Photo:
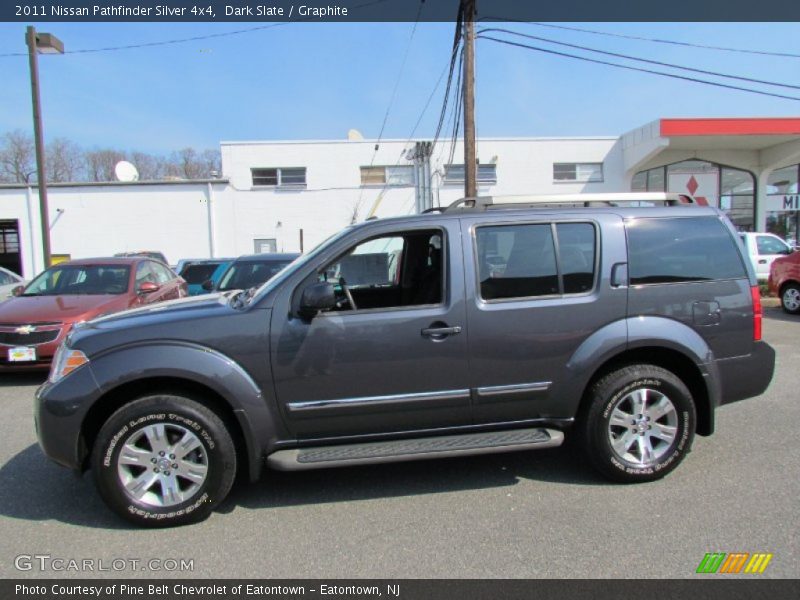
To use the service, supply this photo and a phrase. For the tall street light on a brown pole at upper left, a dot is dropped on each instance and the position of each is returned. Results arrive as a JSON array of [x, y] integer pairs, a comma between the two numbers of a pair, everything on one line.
[[44, 43]]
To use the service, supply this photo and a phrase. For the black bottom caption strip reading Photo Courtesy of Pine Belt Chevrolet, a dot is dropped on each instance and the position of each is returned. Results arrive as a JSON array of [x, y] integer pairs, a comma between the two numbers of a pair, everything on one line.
[[407, 589]]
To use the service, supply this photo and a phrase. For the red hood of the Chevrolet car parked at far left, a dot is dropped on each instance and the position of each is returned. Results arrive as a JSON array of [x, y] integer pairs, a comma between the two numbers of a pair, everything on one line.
[[67, 309]]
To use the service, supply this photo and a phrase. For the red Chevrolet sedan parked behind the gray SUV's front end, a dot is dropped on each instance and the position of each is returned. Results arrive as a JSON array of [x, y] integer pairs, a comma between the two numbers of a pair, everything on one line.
[[35, 321]]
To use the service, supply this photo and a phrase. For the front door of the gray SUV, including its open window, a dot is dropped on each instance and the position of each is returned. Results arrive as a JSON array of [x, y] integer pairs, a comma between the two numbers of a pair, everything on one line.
[[393, 355]]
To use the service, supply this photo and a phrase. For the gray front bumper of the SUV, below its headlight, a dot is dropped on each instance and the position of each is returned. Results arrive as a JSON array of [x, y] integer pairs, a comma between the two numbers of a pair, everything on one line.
[[59, 412]]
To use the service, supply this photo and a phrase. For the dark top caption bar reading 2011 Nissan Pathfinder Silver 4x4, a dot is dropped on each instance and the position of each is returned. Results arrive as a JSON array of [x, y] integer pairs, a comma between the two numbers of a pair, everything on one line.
[[397, 10]]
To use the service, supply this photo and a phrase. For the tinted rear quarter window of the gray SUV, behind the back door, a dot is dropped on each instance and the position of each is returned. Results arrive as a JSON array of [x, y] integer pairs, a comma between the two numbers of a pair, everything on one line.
[[681, 250]]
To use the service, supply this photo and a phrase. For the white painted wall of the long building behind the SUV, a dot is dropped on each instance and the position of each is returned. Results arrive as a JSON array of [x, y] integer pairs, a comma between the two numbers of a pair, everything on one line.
[[173, 217]]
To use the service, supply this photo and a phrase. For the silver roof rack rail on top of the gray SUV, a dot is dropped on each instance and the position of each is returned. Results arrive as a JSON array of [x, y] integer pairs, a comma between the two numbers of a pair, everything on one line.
[[627, 199]]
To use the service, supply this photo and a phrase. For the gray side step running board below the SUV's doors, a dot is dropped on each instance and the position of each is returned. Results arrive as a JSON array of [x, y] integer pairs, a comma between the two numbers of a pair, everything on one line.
[[319, 457]]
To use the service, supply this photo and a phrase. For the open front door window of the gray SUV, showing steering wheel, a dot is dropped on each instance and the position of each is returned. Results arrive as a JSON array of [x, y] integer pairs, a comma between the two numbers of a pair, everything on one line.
[[397, 270]]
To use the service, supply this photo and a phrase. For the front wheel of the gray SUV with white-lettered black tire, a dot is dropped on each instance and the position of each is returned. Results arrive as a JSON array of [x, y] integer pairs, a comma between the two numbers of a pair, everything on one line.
[[174, 497]]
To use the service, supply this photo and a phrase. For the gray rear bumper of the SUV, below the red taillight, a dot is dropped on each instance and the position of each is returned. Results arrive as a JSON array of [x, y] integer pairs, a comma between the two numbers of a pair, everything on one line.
[[747, 376]]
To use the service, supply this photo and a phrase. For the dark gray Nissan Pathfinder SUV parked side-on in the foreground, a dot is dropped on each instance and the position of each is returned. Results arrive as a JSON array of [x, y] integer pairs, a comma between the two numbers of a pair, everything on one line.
[[620, 321]]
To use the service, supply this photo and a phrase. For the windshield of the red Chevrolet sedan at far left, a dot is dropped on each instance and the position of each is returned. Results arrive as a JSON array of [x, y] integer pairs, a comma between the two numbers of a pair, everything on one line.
[[80, 279]]
